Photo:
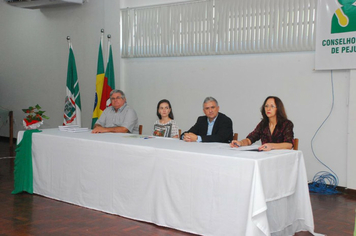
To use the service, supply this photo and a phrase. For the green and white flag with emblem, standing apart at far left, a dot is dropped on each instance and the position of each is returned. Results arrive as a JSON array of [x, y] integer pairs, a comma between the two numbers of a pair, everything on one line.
[[72, 106]]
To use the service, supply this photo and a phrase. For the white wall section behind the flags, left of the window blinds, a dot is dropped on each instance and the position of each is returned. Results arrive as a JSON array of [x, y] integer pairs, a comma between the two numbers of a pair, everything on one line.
[[34, 56]]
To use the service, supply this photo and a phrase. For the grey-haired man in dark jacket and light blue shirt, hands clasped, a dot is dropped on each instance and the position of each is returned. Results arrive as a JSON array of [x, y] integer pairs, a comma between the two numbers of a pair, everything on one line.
[[213, 127]]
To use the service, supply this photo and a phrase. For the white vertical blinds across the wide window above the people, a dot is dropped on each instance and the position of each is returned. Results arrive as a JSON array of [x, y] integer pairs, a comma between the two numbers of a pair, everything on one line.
[[218, 27]]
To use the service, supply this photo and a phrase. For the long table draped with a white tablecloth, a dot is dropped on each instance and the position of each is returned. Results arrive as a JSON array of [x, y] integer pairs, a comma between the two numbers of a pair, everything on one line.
[[202, 188]]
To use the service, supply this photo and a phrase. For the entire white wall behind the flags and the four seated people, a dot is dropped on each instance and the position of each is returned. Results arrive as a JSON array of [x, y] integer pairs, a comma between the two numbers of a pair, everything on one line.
[[33, 67]]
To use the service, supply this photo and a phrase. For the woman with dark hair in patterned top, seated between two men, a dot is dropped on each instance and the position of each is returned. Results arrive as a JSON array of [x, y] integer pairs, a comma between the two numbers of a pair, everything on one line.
[[165, 126]]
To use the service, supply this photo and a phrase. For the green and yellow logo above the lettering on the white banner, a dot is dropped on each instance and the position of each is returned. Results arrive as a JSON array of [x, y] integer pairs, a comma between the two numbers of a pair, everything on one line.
[[344, 19]]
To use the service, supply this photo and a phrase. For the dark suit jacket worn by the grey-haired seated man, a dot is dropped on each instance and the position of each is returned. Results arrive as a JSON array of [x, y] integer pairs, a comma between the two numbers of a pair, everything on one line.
[[222, 130]]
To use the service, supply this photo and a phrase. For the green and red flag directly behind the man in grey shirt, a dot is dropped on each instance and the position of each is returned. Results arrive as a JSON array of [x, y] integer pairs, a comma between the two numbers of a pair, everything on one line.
[[109, 81]]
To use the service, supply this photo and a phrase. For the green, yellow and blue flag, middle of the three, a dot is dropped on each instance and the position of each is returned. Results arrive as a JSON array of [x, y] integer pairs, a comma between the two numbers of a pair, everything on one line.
[[99, 84]]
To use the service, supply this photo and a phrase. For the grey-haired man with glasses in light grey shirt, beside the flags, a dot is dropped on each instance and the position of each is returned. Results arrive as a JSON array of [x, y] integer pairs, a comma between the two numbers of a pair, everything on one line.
[[118, 118]]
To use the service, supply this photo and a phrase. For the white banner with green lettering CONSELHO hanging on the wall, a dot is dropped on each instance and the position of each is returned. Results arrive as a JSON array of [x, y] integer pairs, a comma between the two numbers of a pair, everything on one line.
[[335, 35]]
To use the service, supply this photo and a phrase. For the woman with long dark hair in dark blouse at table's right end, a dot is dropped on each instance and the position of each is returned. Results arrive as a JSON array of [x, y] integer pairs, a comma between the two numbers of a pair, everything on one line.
[[275, 130]]
